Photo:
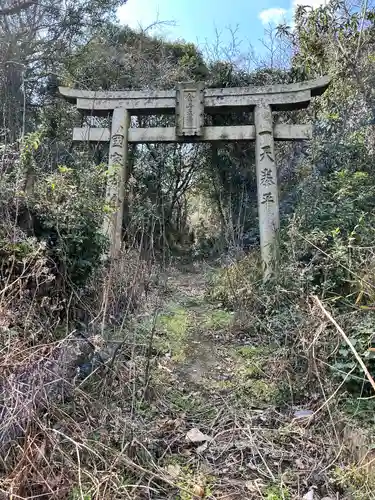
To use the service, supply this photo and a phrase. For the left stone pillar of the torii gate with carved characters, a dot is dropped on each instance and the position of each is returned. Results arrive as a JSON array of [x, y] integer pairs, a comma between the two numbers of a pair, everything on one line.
[[117, 164]]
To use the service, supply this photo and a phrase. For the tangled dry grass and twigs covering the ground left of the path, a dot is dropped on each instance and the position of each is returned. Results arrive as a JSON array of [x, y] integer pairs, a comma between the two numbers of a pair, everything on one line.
[[51, 412]]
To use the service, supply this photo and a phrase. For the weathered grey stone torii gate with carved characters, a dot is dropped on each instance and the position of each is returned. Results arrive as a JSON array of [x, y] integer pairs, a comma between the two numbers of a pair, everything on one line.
[[190, 102]]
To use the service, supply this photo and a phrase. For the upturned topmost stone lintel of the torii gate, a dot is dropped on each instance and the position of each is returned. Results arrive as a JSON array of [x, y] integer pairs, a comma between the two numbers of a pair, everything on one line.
[[279, 97]]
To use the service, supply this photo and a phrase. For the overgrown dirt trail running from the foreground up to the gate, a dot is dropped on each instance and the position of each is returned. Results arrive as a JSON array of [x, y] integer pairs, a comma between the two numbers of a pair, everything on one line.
[[218, 403]]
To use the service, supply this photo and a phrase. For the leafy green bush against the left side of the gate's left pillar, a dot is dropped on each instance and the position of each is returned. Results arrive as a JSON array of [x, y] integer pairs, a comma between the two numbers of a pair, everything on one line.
[[68, 208]]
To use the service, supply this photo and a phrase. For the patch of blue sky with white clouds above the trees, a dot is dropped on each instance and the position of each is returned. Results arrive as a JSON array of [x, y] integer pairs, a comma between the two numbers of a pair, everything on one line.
[[198, 20]]
